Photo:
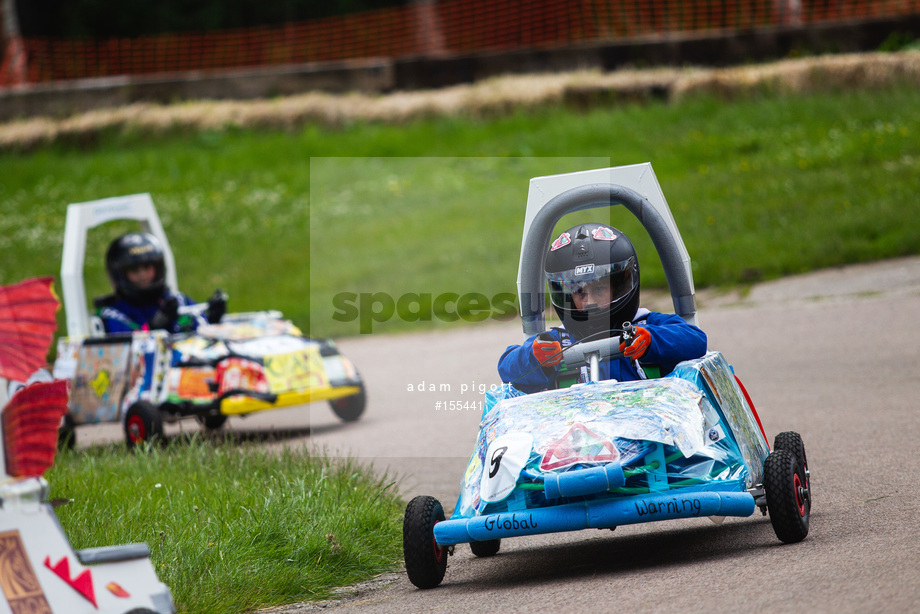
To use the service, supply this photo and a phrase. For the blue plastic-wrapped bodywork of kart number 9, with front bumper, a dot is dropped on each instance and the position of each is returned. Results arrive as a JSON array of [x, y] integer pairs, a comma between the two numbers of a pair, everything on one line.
[[599, 455]]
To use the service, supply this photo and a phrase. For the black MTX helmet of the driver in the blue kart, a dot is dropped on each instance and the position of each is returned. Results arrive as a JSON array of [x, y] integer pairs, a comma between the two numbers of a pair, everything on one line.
[[590, 253]]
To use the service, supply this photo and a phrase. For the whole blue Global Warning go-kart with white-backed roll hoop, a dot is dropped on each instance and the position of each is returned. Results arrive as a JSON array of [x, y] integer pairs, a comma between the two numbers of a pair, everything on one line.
[[605, 453]]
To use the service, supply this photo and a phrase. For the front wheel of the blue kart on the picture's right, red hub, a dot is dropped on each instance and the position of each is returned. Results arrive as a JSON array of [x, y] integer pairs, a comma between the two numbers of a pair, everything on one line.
[[788, 498]]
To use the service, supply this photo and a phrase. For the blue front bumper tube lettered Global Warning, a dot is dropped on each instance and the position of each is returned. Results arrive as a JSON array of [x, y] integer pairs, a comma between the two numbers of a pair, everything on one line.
[[603, 514]]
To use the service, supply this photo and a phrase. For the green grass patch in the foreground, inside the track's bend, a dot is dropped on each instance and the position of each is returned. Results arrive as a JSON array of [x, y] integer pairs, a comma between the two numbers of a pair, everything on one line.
[[233, 528]]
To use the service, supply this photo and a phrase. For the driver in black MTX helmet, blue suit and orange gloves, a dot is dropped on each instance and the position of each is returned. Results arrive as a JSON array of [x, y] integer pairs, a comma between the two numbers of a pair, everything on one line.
[[593, 276]]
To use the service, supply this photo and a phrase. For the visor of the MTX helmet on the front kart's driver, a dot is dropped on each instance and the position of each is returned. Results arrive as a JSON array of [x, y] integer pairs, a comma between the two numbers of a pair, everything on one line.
[[592, 284]]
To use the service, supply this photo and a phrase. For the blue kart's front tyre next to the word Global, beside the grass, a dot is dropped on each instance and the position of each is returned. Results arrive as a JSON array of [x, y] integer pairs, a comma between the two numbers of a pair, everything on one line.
[[426, 561]]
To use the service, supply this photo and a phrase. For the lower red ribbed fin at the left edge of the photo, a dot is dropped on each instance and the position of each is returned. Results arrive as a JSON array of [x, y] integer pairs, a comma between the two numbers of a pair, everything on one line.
[[30, 427]]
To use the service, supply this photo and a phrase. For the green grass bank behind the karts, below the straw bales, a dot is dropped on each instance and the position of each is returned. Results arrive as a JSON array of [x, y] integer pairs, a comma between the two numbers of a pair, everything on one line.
[[760, 188]]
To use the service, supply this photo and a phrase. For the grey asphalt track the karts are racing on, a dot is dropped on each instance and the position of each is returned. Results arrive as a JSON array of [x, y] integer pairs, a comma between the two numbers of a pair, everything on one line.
[[832, 355]]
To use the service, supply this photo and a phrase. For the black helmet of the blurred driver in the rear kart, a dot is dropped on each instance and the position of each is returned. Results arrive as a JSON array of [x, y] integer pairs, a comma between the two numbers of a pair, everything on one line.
[[131, 250]]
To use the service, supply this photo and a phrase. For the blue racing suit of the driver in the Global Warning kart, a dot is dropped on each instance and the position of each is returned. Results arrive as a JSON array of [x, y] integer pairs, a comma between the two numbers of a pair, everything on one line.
[[673, 340]]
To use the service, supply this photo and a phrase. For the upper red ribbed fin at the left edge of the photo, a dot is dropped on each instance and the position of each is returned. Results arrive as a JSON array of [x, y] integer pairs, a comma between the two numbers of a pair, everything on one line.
[[27, 325]]
